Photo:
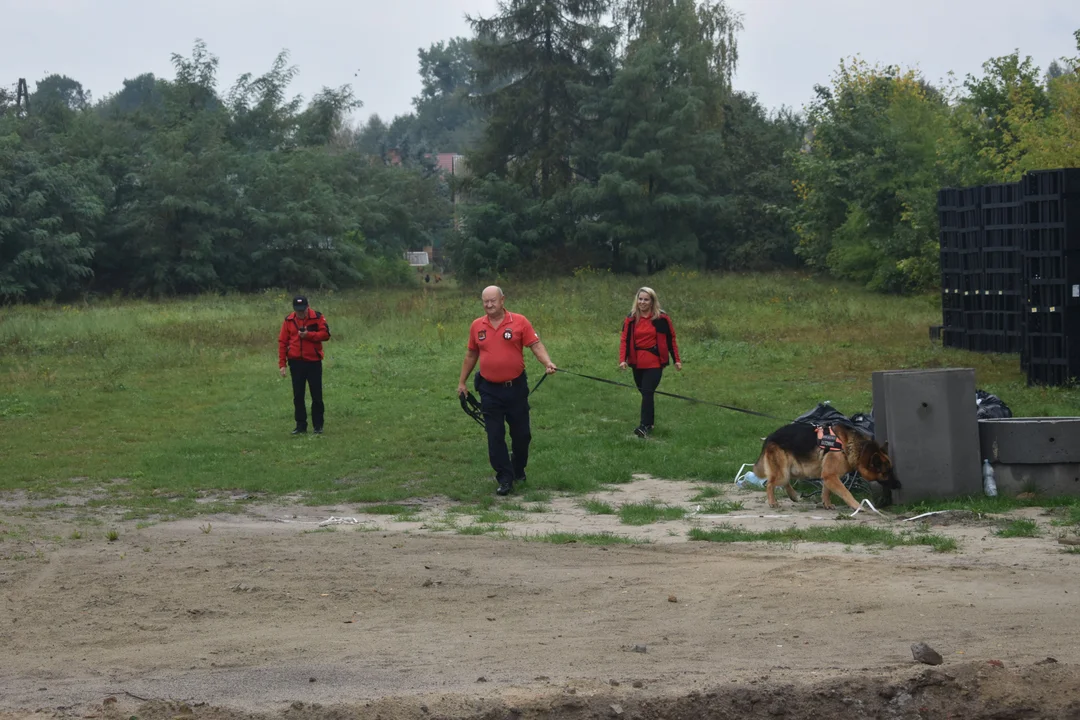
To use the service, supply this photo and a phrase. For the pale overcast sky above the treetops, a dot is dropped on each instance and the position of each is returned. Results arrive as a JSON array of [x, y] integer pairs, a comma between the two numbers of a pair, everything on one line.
[[787, 46]]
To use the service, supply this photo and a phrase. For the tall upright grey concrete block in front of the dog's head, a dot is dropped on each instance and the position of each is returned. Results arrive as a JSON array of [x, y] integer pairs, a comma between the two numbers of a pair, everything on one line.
[[929, 419]]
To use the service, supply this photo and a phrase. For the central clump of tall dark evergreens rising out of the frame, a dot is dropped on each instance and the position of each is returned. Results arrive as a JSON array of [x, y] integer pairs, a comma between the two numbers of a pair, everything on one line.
[[614, 139]]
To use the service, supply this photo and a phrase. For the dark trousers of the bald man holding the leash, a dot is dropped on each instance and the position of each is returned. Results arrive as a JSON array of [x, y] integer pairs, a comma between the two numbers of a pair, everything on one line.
[[504, 406]]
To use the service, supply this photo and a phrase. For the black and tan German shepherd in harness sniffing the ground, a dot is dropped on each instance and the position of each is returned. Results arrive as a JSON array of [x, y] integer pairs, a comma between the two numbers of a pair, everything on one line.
[[803, 452]]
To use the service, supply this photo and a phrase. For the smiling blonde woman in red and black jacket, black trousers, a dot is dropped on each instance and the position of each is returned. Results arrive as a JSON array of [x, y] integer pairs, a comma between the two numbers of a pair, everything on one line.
[[647, 346]]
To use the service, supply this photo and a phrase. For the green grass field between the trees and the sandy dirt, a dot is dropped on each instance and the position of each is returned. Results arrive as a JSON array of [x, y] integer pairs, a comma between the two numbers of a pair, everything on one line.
[[175, 407]]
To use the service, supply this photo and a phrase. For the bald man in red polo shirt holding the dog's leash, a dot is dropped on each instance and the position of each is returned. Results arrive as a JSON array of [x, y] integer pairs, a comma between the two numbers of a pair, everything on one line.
[[497, 341]]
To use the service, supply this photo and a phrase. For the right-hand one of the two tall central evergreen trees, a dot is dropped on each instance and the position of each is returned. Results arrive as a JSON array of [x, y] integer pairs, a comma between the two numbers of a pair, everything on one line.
[[659, 132]]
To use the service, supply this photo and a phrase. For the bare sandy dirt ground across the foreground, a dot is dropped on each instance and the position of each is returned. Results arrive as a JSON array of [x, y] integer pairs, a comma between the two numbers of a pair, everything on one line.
[[283, 613]]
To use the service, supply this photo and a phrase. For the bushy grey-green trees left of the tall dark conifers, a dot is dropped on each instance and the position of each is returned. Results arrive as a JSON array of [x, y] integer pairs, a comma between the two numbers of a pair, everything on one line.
[[170, 187]]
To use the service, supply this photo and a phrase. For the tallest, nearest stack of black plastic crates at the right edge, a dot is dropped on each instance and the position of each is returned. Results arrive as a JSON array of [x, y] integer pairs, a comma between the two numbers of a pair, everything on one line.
[[1051, 354]]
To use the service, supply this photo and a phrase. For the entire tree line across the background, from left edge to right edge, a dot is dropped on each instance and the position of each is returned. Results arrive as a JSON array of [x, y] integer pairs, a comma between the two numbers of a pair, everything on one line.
[[603, 133]]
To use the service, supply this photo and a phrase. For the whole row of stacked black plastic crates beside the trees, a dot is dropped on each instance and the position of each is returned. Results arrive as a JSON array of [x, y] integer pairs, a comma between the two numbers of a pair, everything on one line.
[[1010, 259]]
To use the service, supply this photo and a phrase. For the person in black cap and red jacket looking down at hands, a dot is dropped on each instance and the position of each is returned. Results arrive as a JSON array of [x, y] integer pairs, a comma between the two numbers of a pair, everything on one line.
[[301, 350]]
